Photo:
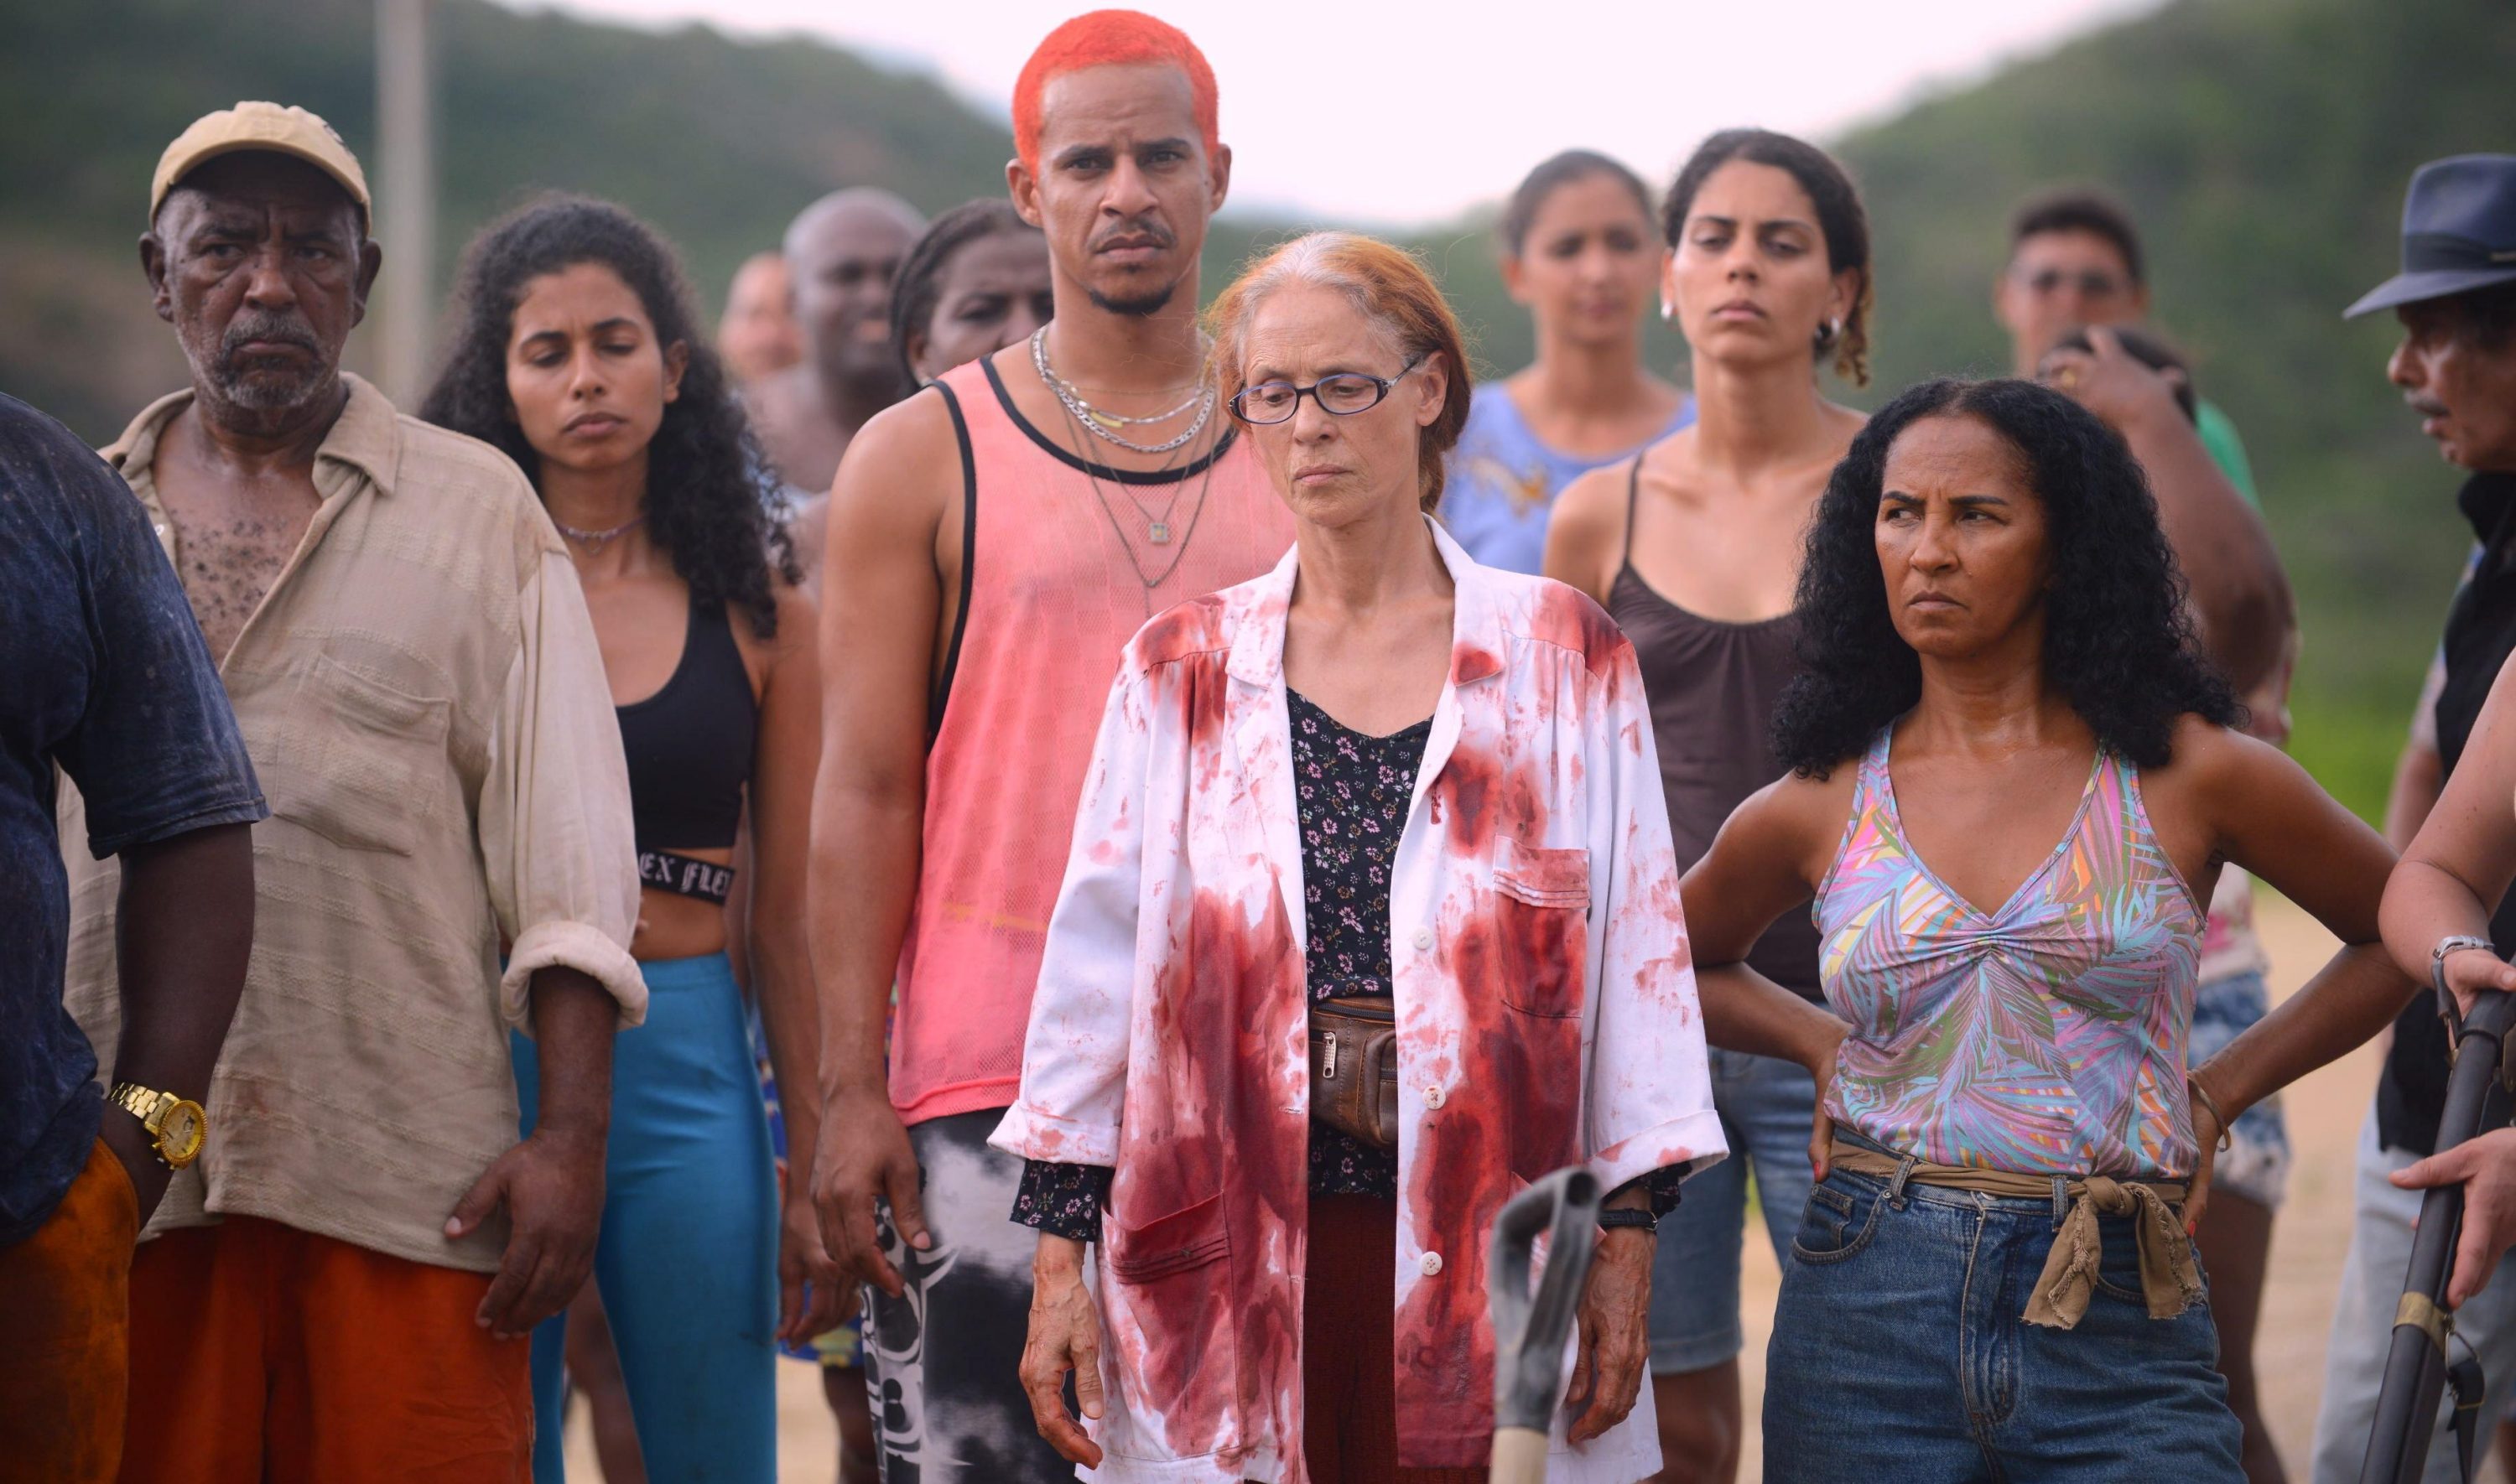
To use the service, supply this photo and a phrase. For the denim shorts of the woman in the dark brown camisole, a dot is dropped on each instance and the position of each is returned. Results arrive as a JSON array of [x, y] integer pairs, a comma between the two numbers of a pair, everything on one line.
[[1695, 1279]]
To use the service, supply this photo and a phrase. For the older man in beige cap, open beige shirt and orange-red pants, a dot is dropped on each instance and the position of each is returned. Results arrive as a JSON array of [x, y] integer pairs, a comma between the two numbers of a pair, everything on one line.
[[341, 1287]]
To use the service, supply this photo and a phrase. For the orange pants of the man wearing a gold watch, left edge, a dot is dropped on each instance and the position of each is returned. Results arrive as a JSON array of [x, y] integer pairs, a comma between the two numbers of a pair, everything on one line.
[[62, 1332]]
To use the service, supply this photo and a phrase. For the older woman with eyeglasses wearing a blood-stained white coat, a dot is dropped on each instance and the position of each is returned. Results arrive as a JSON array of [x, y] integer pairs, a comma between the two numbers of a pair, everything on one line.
[[1370, 922]]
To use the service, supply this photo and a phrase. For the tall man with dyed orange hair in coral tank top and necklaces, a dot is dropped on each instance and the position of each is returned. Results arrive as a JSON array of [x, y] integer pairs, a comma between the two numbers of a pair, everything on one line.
[[993, 547]]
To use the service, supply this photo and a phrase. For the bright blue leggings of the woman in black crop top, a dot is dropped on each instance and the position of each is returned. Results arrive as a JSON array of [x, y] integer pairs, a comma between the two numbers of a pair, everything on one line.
[[688, 1254]]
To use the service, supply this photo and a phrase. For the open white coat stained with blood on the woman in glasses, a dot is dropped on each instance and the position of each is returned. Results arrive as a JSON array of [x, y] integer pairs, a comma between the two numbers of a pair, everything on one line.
[[1544, 990]]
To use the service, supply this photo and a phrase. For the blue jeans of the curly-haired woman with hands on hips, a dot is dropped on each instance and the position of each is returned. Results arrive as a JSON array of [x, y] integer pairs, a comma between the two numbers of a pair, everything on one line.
[[1901, 1352]]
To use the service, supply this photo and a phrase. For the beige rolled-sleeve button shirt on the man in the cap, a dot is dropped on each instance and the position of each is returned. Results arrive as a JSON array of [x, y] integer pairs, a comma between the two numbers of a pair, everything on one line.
[[426, 706]]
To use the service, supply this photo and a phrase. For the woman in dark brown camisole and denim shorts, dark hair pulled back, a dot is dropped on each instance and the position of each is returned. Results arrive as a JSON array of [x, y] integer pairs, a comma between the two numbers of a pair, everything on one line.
[[1695, 552]]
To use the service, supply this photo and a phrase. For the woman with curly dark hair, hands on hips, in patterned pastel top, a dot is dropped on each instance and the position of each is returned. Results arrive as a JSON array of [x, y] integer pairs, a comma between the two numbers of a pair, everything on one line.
[[1994, 1274]]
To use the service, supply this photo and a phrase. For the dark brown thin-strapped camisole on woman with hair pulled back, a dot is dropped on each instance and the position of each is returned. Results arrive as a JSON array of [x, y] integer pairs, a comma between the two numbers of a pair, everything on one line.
[[1712, 711]]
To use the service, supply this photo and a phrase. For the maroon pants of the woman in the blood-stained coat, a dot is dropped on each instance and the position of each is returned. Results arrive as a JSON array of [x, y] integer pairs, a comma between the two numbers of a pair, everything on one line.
[[1350, 1417]]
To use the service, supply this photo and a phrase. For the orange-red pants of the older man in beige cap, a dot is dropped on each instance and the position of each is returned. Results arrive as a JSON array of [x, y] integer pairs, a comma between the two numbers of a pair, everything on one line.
[[268, 1354]]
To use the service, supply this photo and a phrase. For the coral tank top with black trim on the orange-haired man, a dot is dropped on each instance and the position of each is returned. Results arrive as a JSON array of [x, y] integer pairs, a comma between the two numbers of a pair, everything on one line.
[[1048, 602]]
